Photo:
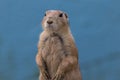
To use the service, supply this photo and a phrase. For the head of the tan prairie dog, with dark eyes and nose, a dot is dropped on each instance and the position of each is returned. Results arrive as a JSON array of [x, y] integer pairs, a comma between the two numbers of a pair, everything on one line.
[[55, 20]]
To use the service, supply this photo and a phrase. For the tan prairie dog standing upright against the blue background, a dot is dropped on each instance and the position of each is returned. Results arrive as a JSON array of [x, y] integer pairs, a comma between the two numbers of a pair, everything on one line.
[[57, 56]]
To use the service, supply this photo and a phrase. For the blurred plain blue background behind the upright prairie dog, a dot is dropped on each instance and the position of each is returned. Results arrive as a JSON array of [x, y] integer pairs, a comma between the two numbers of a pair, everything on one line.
[[95, 25]]
